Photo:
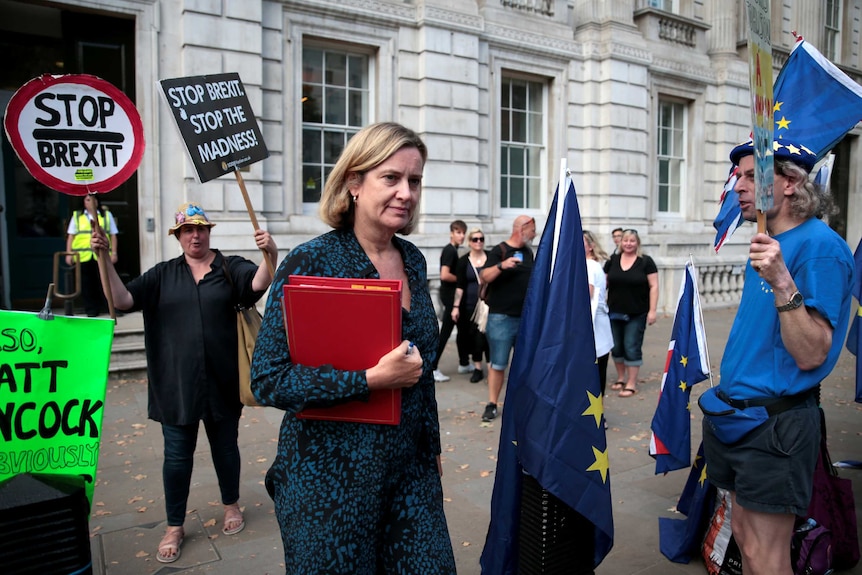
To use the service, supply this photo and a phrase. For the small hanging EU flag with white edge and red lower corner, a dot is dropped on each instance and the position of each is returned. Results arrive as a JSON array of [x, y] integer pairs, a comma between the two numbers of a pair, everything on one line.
[[686, 365]]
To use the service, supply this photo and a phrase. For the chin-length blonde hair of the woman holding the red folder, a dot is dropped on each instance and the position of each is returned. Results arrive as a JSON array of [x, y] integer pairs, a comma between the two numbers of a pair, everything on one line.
[[366, 150]]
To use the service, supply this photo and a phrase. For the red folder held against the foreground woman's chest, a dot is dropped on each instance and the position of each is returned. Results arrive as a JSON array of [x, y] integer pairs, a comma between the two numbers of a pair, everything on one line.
[[348, 323]]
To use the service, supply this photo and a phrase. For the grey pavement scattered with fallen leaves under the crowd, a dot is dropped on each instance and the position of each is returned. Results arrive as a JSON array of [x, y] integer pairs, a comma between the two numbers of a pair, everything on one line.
[[127, 519]]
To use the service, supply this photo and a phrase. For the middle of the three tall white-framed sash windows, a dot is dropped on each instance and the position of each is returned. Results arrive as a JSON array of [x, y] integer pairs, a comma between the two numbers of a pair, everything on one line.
[[522, 143]]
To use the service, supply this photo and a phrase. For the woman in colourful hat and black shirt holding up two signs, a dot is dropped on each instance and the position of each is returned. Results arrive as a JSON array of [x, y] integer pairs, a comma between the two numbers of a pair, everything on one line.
[[188, 304]]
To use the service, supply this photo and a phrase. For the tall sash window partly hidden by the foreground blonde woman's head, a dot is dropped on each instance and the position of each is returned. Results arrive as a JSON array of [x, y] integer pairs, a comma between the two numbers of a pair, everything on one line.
[[335, 102]]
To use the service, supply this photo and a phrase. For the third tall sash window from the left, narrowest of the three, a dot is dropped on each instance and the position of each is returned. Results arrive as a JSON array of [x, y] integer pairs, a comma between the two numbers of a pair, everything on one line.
[[671, 155]]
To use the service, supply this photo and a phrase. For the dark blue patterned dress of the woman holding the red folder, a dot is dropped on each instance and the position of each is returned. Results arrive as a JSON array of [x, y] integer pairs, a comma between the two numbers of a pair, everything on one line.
[[353, 498]]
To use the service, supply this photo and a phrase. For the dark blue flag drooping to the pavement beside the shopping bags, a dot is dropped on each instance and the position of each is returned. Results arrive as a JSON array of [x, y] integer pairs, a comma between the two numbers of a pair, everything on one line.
[[680, 539]]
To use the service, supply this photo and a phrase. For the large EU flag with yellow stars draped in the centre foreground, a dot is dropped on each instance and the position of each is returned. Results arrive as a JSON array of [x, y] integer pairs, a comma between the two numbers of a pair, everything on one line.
[[552, 423]]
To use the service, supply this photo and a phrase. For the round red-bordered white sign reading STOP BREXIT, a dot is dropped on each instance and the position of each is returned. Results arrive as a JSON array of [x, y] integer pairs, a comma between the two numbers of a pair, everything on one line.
[[77, 134]]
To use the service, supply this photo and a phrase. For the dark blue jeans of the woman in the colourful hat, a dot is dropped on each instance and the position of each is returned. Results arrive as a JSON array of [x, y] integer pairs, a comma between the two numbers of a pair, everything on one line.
[[180, 442]]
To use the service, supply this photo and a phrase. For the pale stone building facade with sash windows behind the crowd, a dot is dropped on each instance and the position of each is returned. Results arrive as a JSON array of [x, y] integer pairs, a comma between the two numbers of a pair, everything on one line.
[[643, 98]]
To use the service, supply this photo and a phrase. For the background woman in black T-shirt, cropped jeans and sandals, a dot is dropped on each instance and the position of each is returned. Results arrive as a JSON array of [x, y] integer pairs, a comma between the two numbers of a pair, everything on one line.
[[632, 299]]
